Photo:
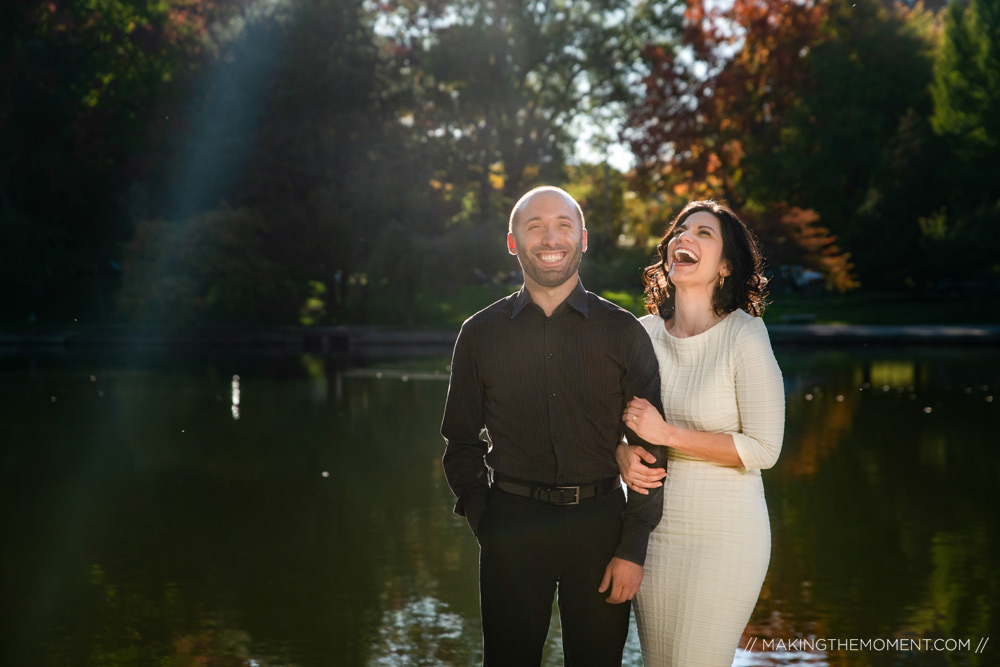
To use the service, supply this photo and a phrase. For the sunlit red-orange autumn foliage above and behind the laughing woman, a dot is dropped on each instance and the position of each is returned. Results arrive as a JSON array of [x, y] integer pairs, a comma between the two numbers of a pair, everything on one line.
[[725, 95]]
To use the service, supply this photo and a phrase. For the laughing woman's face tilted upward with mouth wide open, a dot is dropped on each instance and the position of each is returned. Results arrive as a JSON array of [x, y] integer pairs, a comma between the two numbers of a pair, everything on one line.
[[694, 252]]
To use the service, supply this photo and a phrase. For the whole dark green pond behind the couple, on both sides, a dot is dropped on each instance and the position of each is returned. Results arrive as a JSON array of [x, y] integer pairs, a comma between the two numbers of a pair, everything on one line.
[[228, 509]]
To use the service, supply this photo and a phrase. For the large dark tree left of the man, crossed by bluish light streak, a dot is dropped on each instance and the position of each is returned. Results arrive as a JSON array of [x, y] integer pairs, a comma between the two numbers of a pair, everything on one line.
[[297, 121]]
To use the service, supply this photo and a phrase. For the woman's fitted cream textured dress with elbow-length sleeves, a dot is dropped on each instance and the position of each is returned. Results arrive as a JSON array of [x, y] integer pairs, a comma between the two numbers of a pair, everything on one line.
[[707, 558]]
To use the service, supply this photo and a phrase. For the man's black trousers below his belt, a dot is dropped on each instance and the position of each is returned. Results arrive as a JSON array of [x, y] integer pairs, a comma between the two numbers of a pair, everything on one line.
[[528, 551]]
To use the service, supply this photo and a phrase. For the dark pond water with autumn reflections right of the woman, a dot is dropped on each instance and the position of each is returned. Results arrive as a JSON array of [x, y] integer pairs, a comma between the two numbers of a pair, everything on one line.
[[867, 488]]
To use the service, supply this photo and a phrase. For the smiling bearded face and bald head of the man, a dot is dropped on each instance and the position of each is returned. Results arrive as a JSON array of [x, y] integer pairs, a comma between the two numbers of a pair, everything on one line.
[[548, 239]]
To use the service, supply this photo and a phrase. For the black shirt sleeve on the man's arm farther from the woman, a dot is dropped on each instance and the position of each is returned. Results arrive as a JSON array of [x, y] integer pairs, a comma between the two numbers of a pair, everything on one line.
[[464, 457]]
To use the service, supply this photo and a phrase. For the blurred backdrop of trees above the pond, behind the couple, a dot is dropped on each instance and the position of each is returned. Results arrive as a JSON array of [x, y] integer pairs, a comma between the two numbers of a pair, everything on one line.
[[201, 162]]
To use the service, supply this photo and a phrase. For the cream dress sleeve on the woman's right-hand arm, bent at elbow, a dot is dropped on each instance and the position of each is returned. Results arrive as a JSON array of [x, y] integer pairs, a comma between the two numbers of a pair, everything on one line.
[[760, 396]]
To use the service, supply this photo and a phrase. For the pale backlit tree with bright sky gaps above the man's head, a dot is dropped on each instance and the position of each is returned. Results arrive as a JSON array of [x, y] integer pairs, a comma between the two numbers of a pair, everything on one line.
[[497, 84]]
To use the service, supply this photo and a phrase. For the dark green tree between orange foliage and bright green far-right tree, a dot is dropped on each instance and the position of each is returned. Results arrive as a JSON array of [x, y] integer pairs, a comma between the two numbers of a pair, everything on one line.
[[865, 69]]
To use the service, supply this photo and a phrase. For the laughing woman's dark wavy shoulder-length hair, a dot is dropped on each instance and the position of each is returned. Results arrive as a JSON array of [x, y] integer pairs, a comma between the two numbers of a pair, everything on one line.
[[744, 288]]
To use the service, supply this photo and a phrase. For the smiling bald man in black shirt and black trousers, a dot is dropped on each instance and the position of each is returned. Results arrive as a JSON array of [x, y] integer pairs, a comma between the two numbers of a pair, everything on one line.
[[547, 372]]
